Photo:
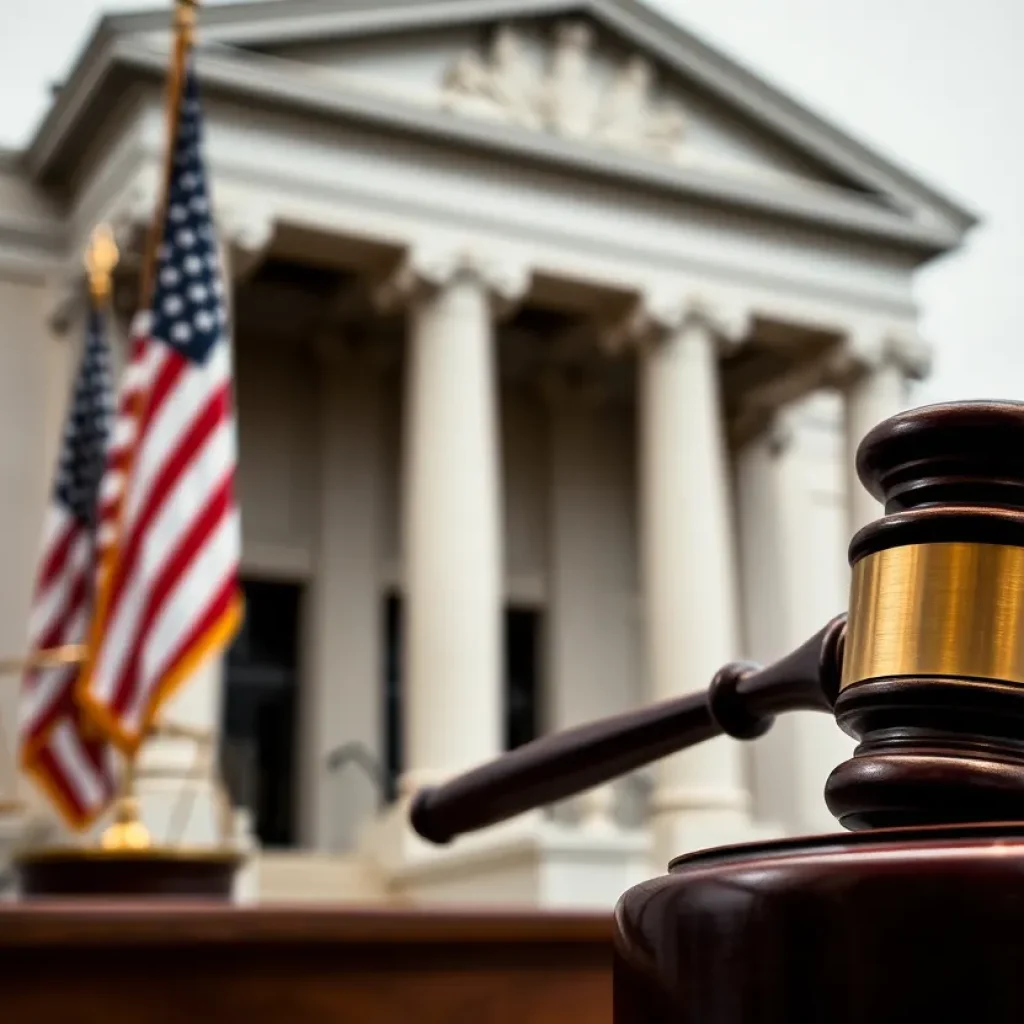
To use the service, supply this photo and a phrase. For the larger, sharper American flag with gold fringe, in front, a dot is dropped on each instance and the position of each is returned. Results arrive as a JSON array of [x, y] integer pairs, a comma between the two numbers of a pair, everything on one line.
[[169, 596]]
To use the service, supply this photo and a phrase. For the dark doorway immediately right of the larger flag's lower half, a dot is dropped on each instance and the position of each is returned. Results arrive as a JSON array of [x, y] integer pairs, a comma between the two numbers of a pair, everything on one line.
[[259, 744]]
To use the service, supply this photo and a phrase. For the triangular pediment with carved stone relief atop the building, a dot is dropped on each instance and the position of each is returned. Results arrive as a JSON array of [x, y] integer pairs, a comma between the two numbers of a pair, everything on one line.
[[628, 92]]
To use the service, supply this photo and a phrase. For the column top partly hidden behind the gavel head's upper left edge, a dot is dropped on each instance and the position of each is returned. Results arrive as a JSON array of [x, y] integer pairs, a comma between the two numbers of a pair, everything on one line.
[[878, 389]]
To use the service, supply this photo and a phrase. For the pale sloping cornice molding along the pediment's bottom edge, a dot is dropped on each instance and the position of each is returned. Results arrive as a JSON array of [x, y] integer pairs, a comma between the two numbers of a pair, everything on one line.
[[275, 82]]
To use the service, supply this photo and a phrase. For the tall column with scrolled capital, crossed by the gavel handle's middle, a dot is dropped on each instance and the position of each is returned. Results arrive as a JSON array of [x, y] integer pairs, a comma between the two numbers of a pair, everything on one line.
[[688, 562]]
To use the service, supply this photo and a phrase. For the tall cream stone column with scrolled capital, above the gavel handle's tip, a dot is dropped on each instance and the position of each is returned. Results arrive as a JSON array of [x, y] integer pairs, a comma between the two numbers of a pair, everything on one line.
[[452, 529]]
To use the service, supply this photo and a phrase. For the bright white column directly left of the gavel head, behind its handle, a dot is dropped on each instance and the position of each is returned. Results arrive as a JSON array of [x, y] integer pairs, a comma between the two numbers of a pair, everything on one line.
[[791, 488]]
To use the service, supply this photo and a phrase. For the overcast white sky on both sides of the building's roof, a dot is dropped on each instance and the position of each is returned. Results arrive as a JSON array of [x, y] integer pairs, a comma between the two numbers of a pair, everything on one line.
[[935, 83]]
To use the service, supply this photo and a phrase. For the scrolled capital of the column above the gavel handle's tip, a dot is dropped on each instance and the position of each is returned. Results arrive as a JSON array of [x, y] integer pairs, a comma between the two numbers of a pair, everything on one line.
[[423, 271]]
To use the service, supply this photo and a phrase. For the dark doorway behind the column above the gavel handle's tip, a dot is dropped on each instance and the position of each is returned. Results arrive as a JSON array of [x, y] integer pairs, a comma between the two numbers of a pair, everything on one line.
[[523, 681]]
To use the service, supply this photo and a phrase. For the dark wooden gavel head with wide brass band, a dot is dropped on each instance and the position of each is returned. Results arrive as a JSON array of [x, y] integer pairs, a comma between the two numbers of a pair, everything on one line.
[[933, 658]]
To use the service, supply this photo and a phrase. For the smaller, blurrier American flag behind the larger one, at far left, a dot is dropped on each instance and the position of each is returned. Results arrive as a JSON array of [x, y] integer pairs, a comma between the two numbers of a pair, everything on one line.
[[72, 762]]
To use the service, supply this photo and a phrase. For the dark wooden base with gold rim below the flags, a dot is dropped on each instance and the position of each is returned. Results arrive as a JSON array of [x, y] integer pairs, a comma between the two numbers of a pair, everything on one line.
[[155, 873]]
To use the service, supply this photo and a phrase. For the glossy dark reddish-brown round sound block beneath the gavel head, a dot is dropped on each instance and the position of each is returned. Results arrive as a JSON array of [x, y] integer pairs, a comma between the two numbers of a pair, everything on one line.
[[879, 927]]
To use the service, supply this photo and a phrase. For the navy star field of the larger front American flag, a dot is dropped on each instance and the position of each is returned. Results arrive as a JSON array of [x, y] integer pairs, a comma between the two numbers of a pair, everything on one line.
[[189, 312]]
